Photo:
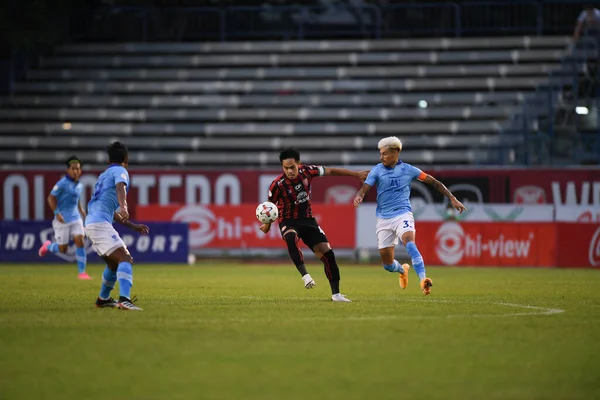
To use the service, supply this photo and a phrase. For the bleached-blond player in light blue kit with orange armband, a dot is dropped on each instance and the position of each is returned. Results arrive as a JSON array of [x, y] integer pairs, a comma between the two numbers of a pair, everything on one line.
[[394, 213]]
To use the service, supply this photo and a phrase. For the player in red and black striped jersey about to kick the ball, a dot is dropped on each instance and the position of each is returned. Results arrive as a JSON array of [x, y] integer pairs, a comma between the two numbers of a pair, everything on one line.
[[291, 192]]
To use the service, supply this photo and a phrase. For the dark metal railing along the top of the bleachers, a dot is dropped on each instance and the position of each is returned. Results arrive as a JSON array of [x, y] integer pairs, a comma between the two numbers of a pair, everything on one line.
[[329, 20]]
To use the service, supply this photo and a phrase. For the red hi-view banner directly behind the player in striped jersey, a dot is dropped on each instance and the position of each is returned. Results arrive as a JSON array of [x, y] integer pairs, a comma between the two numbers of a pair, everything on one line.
[[237, 226]]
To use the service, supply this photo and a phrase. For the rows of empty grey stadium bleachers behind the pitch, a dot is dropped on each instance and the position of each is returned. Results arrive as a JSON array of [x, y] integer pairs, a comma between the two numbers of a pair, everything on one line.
[[209, 103]]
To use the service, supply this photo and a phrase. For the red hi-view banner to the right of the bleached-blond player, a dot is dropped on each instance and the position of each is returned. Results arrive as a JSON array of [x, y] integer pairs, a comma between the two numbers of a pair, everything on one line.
[[488, 244]]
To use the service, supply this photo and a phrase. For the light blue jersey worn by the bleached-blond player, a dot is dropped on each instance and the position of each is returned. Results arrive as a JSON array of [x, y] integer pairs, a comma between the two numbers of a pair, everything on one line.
[[393, 188]]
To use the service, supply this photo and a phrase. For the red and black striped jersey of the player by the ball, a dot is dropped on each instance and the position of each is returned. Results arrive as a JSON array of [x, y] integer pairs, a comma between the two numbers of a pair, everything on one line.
[[293, 197]]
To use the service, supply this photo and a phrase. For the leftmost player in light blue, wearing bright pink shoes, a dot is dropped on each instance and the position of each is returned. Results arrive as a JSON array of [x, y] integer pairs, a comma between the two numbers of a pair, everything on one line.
[[68, 213]]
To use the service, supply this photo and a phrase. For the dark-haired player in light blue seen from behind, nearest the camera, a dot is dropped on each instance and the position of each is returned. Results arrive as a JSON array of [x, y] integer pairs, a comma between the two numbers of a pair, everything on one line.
[[109, 203]]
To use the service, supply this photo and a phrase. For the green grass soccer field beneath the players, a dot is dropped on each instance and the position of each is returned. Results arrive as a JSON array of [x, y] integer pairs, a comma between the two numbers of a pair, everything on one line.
[[227, 331]]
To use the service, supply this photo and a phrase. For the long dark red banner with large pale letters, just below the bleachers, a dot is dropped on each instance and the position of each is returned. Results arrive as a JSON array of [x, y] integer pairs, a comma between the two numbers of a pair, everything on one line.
[[24, 191]]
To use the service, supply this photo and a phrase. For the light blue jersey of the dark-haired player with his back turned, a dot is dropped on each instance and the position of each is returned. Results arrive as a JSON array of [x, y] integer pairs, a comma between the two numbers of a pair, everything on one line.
[[104, 202]]
